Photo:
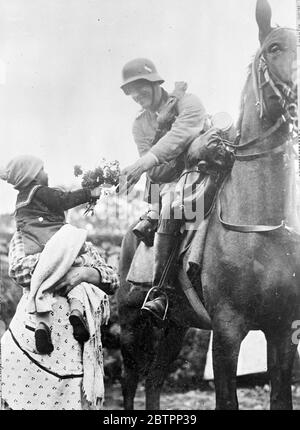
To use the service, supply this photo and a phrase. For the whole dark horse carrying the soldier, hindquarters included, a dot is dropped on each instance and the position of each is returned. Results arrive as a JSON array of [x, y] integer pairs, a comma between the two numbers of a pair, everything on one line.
[[250, 269]]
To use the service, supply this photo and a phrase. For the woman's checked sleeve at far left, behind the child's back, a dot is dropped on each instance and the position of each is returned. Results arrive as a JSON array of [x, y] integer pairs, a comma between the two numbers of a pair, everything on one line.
[[21, 266]]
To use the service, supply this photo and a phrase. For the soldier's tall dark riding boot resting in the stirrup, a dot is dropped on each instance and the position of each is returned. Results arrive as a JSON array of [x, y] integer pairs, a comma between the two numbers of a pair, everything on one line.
[[156, 301]]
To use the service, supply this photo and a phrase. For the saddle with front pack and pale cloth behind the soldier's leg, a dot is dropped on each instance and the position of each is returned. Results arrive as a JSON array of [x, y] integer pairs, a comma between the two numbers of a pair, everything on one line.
[[195, 196]]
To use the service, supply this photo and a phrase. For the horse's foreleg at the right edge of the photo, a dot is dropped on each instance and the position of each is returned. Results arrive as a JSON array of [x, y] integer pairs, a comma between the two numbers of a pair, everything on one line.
[[281, 354]]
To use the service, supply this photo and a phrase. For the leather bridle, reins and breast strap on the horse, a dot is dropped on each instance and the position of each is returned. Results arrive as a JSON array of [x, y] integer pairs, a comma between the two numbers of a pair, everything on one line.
[[287, 98]]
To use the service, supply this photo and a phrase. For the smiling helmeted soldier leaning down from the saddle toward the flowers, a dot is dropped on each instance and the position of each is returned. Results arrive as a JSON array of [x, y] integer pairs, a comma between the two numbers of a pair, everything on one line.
[[162, 131]]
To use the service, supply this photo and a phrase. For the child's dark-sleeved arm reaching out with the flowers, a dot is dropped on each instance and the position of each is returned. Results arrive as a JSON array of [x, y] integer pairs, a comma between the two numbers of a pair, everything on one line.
[[58, 200]]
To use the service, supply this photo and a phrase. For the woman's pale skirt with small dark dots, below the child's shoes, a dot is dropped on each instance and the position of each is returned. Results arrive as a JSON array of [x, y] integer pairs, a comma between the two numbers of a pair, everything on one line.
[[33, 381]]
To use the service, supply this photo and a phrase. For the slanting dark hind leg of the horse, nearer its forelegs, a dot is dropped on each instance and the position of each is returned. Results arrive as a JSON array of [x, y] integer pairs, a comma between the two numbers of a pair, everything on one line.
[[167, 351]]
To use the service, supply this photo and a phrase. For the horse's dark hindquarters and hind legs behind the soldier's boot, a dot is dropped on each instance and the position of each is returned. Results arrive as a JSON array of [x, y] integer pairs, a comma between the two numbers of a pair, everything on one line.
[[148, 350]]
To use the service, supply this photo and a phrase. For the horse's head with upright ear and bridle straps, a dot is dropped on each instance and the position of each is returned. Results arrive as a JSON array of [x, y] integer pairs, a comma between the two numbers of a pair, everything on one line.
[[276, 64]]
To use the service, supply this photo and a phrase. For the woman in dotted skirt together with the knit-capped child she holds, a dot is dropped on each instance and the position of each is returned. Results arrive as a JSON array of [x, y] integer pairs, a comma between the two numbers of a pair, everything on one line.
[[52, 352]]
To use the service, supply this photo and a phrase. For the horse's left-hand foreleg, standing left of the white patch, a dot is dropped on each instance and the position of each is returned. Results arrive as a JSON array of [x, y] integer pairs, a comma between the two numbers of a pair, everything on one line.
[[228, 333]]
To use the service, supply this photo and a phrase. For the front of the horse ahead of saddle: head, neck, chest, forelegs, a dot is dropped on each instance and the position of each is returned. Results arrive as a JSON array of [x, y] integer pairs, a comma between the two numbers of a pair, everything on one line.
[[251, 263]]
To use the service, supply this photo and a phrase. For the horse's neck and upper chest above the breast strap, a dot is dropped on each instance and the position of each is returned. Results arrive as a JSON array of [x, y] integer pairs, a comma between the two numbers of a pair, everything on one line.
[[262, 191]]
